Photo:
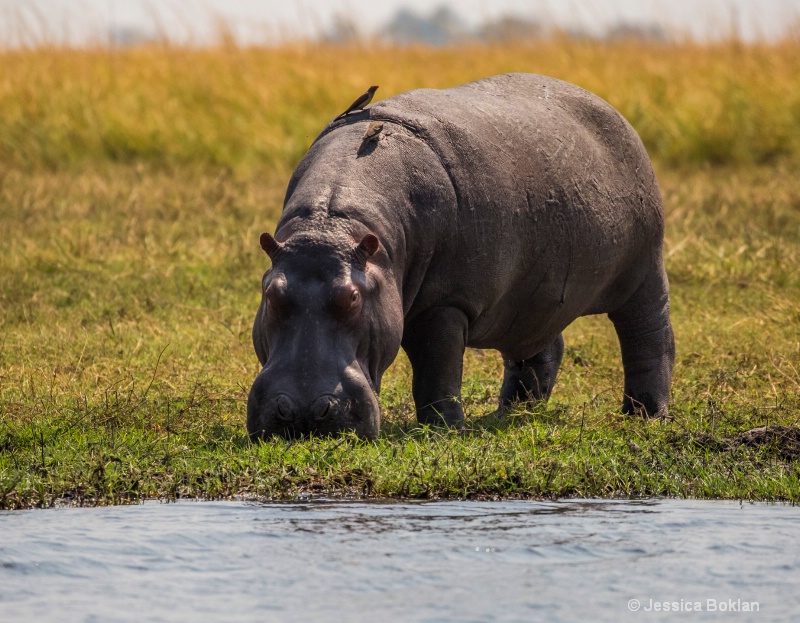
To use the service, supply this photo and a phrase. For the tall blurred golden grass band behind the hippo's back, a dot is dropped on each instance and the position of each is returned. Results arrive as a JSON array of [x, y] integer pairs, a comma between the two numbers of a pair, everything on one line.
[[726, 103]]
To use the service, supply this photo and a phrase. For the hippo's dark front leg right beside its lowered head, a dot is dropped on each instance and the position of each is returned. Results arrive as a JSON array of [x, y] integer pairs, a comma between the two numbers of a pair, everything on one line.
[[434, 342]]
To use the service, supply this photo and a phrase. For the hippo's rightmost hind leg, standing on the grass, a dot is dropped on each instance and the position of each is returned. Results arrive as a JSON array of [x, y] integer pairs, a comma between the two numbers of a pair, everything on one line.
[[648, 347]]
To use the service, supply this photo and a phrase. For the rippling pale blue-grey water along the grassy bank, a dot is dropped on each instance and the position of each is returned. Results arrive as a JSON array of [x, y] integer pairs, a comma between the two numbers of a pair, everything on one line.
[[438, 561]]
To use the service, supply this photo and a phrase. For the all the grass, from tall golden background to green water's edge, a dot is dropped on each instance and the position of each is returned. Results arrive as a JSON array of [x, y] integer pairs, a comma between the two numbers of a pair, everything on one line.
[[133, 188]]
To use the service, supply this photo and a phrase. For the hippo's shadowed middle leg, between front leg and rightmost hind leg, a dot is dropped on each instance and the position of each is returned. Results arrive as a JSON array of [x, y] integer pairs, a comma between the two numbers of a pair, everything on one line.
[[531, 380]]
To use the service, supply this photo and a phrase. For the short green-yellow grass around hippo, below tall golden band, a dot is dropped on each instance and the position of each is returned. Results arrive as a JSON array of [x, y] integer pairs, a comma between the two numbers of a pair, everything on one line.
[[127, 297]]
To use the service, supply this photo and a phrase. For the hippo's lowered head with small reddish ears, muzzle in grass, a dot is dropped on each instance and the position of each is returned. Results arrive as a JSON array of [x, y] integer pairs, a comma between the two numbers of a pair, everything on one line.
[[329, 324]]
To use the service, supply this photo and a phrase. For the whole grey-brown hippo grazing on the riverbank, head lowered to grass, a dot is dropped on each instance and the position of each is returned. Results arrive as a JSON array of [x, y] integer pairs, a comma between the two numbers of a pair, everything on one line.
[[488, 215]]
